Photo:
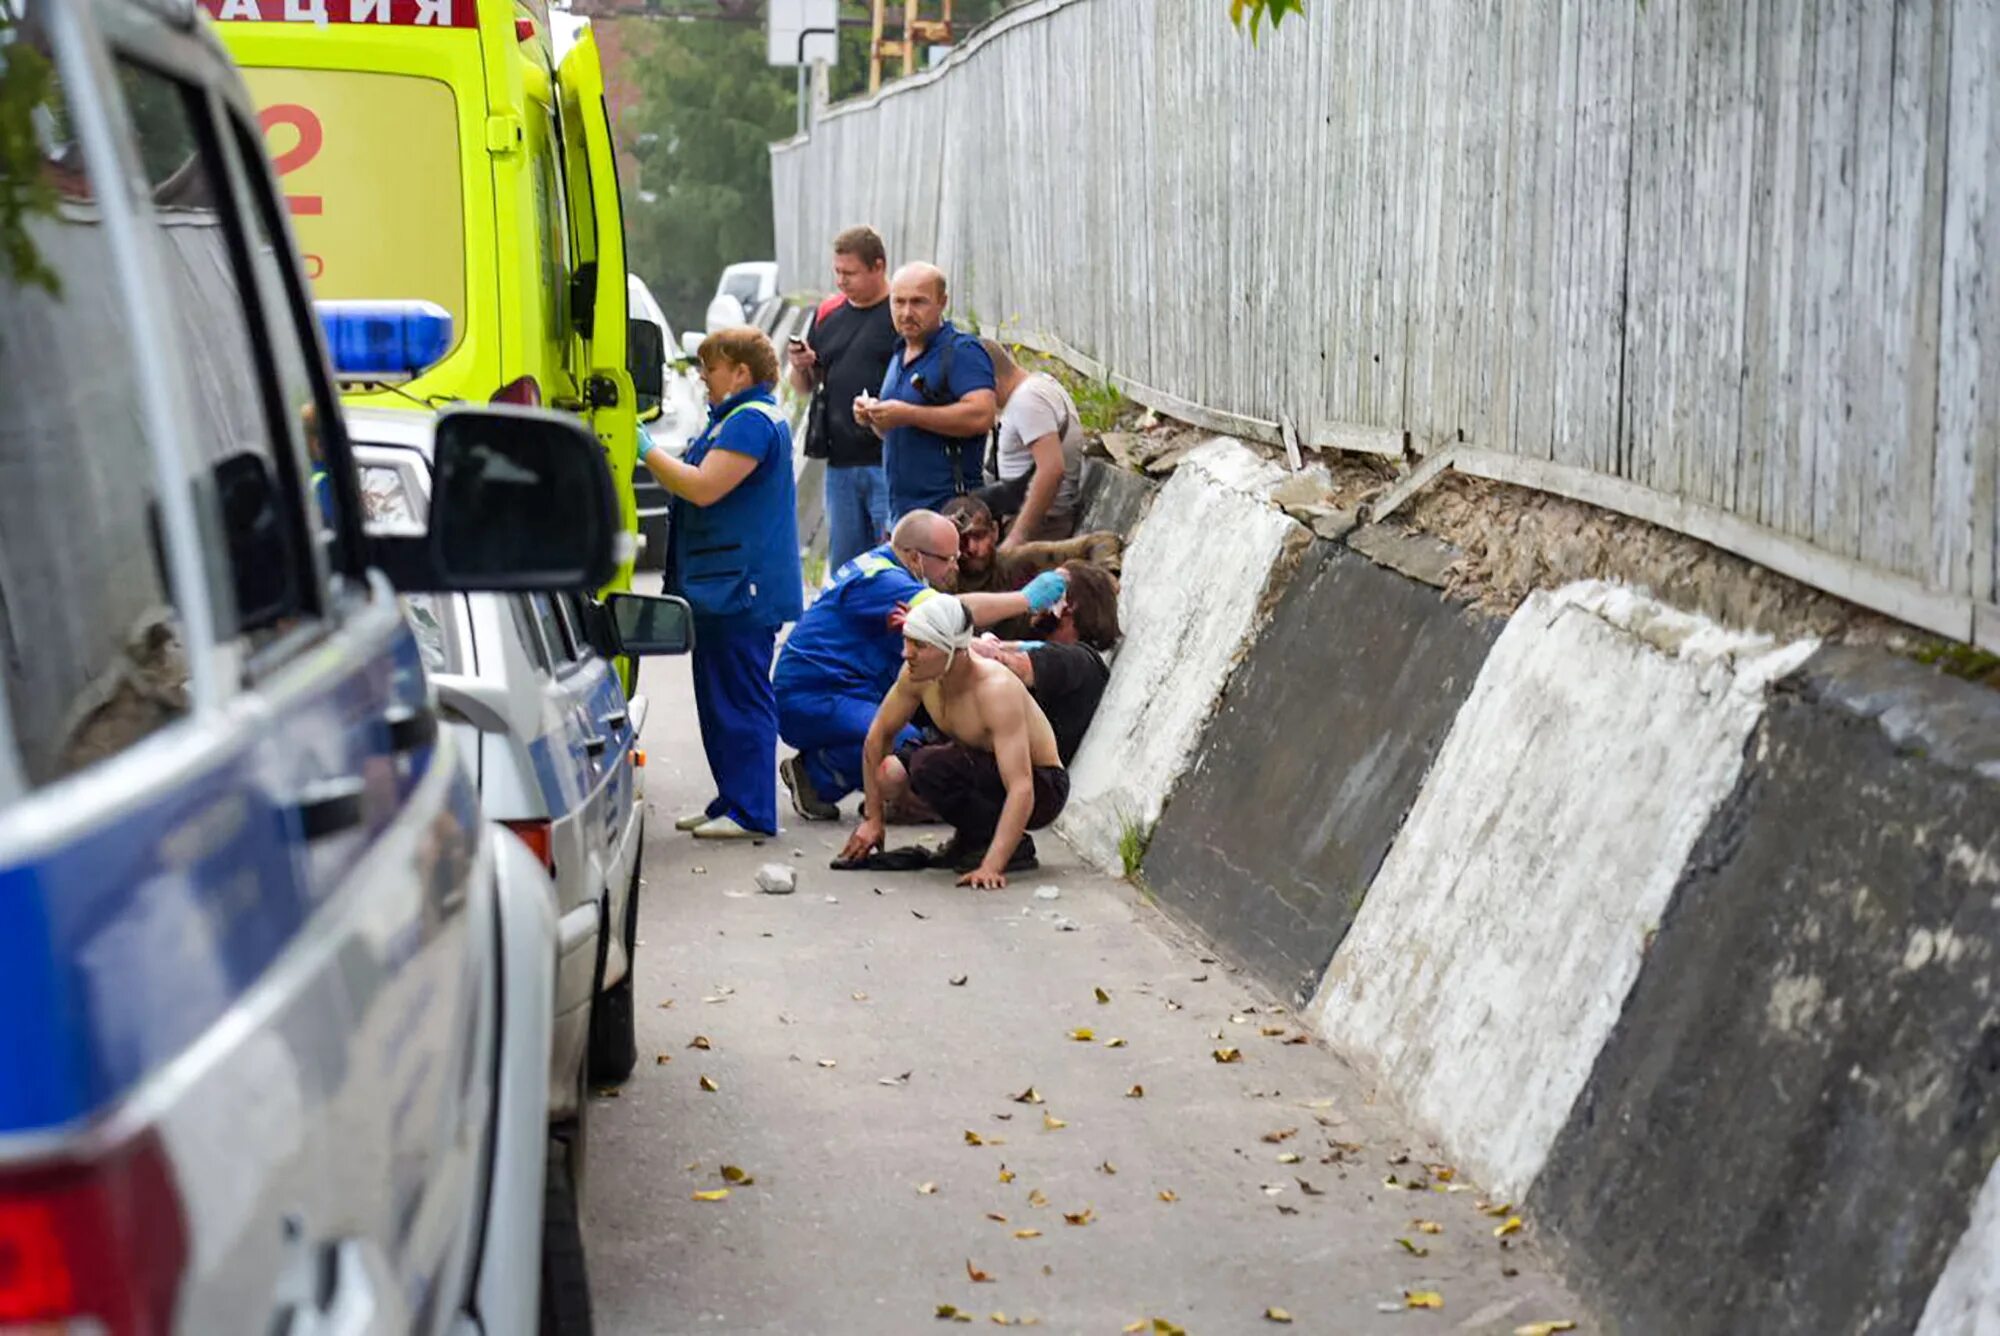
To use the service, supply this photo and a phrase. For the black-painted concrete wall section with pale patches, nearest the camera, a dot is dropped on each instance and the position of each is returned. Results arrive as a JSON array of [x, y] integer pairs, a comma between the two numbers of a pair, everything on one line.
[[1791, 1123]]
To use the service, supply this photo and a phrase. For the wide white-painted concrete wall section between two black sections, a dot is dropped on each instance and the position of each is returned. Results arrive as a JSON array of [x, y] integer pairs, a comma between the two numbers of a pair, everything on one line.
[[1511, 917]]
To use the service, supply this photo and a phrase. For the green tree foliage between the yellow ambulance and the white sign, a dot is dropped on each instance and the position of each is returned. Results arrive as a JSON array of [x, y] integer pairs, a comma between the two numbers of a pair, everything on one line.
[[705, 117]]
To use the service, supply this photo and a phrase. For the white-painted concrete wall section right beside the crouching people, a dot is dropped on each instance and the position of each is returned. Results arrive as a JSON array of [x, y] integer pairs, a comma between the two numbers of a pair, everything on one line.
[[1195, 585]]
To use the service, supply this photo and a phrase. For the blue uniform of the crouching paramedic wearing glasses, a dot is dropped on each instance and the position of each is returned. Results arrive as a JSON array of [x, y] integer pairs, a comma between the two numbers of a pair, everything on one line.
[[839, 665]]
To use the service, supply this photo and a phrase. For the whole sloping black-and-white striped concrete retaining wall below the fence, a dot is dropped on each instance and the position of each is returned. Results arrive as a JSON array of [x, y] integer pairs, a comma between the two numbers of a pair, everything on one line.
[[1683, 937]]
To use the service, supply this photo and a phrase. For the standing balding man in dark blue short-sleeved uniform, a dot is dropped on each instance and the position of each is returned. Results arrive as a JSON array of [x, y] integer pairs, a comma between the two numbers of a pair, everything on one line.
[[937, 401]]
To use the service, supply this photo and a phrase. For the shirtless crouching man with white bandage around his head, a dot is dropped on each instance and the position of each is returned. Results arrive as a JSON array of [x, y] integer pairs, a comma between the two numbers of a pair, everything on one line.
[[999, 779]]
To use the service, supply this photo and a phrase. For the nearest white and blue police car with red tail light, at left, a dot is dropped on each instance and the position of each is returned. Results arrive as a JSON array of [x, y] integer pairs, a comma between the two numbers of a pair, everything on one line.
[[275, 1001]]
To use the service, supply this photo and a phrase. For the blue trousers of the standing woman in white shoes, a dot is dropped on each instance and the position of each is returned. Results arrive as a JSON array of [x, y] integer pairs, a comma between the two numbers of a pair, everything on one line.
[[739, 713]]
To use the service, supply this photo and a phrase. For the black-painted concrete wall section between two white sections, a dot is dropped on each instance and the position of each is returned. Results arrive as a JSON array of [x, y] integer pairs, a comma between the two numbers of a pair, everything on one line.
[[1313, 763]]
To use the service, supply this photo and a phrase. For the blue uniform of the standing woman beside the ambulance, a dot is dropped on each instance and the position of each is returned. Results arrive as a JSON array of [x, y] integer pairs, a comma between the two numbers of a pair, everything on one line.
[[737, 565]]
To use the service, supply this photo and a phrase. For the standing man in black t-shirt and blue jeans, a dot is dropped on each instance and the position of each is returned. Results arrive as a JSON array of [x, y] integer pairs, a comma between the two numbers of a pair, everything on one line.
[[847, 355]]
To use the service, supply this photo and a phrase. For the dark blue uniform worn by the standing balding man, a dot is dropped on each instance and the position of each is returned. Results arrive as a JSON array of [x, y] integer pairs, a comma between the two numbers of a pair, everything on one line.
[[927, 471]]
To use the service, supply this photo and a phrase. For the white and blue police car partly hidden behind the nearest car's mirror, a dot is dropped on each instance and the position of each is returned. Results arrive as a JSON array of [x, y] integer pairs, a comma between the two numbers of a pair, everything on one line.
[[555, 747]]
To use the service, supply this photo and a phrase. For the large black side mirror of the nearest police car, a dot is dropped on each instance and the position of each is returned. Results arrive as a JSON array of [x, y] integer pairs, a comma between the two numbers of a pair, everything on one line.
[[521, 501]]
